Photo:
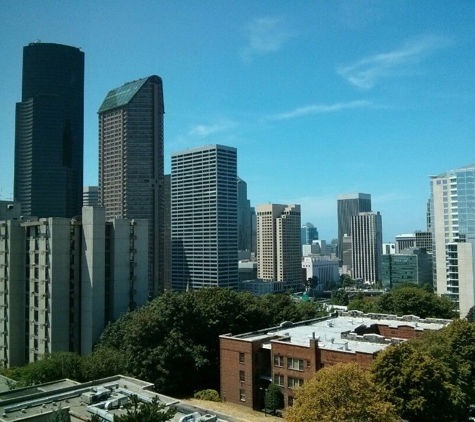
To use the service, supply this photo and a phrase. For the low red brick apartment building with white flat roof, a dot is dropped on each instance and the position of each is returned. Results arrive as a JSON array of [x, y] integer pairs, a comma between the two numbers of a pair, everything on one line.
[[292, 352]]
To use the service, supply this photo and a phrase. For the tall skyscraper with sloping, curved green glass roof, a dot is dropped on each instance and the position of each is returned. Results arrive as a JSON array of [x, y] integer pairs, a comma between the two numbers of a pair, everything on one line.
[[131, 162]]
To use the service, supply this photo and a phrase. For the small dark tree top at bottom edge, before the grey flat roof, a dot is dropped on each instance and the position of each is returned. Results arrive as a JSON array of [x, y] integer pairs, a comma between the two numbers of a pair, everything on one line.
[[138, 411]]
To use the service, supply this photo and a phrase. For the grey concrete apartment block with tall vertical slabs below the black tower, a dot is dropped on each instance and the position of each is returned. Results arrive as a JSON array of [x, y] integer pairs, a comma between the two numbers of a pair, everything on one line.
[[62, 280]]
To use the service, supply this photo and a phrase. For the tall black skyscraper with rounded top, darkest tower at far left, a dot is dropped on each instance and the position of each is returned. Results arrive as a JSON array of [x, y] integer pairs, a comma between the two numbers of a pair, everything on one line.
[[49, 131]]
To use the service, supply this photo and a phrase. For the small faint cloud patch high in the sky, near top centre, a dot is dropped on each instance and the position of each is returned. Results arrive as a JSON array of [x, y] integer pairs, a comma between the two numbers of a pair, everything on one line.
[[265, 35]]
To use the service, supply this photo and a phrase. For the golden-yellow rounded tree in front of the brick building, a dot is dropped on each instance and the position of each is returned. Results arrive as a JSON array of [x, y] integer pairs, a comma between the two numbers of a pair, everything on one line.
[[341, 393]]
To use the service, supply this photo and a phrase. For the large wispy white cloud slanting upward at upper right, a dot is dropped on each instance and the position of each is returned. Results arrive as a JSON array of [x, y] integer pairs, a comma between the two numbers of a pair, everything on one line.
[[366, 72]]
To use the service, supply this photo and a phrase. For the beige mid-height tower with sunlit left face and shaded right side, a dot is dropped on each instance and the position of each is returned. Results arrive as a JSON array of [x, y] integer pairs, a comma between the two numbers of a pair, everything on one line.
[[279, 252]]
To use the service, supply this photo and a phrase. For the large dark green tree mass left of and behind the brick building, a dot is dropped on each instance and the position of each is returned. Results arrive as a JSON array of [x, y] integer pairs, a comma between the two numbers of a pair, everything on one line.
[[174, 340]]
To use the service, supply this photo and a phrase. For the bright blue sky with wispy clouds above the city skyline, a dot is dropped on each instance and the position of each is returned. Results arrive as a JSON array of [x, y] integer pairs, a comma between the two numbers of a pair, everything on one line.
[[319, 97]]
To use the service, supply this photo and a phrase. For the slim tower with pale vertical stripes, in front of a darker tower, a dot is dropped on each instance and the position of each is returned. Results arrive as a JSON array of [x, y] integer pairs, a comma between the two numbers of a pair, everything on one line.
[[367, 246]]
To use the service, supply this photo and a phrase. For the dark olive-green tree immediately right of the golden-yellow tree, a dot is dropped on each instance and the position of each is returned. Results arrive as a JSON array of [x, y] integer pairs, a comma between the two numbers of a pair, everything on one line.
[[417, 384]]
